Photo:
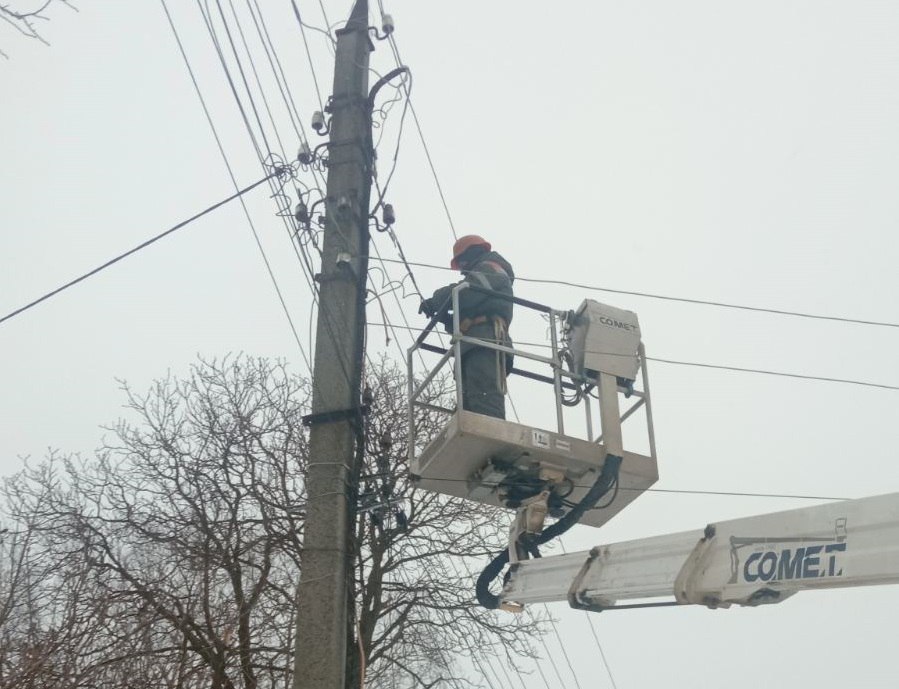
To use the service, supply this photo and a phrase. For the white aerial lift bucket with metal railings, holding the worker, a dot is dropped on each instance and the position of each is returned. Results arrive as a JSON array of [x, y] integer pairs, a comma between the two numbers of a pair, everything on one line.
[[597, 350]]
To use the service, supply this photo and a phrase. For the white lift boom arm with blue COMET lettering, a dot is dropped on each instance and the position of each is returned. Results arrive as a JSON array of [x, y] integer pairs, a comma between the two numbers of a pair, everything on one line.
[[751, 561]]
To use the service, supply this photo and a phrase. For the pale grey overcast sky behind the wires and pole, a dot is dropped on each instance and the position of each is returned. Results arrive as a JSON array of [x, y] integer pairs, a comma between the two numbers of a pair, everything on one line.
[[744, 153]]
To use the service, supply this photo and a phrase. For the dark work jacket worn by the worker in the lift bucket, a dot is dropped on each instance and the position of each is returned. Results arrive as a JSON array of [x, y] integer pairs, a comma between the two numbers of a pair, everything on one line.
[[492, 272]]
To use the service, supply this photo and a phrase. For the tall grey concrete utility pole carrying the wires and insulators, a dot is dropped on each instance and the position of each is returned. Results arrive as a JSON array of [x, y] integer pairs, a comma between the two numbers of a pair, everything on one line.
[[324, 613]]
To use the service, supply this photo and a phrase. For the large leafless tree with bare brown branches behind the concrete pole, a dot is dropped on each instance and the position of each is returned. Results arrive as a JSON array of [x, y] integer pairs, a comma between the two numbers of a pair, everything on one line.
[[172, 556]]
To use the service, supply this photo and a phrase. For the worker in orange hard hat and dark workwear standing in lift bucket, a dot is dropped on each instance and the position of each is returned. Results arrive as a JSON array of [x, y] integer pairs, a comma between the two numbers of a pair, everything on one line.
[[481, 315]]
